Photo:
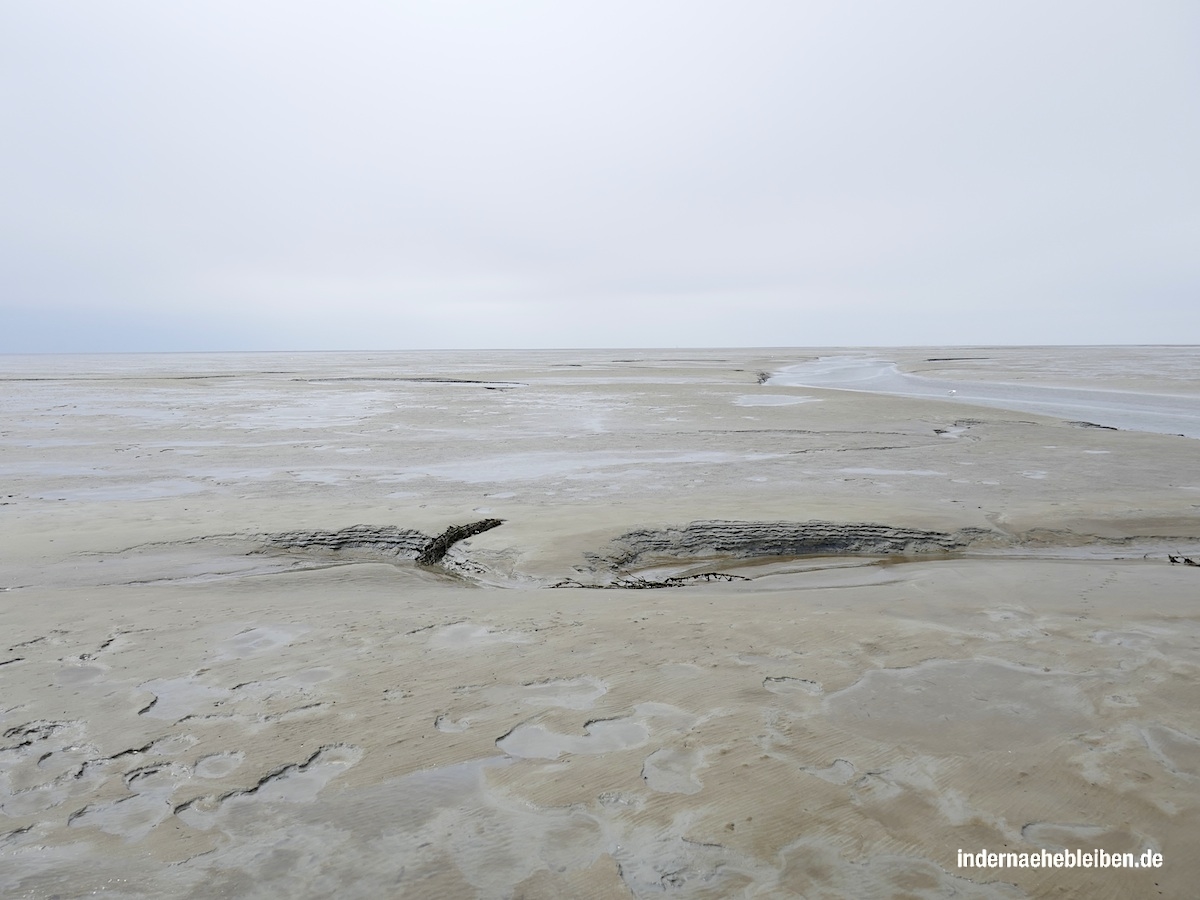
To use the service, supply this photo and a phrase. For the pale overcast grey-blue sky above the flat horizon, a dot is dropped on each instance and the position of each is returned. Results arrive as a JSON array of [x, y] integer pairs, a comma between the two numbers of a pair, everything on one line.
[[370, 175]]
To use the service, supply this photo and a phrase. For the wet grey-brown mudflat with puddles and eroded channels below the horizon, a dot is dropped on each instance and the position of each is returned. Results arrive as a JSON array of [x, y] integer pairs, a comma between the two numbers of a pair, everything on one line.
[[692, 623]]
